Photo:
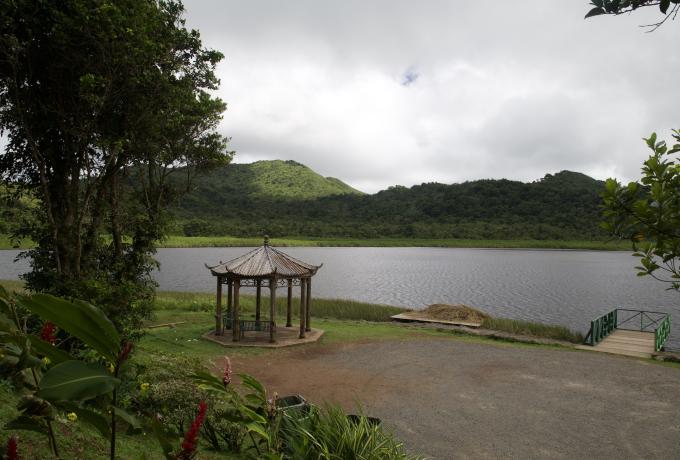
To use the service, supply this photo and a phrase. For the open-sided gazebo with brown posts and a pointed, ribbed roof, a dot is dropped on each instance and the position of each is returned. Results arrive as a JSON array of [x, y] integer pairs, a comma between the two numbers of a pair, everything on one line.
[[264, 267]]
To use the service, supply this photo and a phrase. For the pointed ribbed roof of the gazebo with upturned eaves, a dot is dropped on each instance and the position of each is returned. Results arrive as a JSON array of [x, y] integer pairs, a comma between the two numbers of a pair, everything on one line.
[[263, 262]]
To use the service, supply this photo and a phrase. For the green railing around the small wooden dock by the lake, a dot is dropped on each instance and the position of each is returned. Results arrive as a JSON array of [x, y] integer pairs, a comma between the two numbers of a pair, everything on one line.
[[631, 320]]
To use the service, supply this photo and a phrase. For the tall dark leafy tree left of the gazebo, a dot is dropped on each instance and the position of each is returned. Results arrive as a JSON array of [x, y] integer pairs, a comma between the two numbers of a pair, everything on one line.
[[102, 102]]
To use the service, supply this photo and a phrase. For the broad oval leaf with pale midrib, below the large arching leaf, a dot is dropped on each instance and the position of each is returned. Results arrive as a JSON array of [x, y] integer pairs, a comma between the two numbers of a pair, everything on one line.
[[76, 381]]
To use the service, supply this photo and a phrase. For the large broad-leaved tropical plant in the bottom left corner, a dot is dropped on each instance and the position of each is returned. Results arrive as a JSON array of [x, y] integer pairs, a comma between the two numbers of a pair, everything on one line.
[[53, 381]]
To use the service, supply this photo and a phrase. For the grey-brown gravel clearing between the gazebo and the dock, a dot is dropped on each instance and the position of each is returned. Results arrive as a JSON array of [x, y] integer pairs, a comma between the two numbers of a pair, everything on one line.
[[449, 398]]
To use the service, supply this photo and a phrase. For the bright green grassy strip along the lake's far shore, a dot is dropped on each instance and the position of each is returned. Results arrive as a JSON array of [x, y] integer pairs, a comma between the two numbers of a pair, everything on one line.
[[229, 241]]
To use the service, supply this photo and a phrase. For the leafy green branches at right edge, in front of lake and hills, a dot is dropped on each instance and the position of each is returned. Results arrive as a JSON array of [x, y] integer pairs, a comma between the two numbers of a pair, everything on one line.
[[647, 212]]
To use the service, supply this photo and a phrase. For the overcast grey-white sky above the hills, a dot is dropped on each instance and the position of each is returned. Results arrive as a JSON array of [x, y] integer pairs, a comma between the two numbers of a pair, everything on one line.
[[378, 93]]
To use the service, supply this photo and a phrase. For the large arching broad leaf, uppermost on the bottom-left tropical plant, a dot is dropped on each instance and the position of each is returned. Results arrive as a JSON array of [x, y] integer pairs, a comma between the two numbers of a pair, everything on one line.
[[80, 319]]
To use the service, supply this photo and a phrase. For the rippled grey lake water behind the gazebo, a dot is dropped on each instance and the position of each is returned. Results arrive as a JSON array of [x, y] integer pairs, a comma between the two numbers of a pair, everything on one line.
[[559, 287]]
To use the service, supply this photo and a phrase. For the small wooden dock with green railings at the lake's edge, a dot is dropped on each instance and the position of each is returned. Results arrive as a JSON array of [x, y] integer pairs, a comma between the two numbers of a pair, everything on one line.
[[626, 332]]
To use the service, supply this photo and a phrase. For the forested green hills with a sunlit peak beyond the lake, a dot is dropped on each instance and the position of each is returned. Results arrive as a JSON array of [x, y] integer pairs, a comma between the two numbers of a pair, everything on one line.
[[288, 199]]
